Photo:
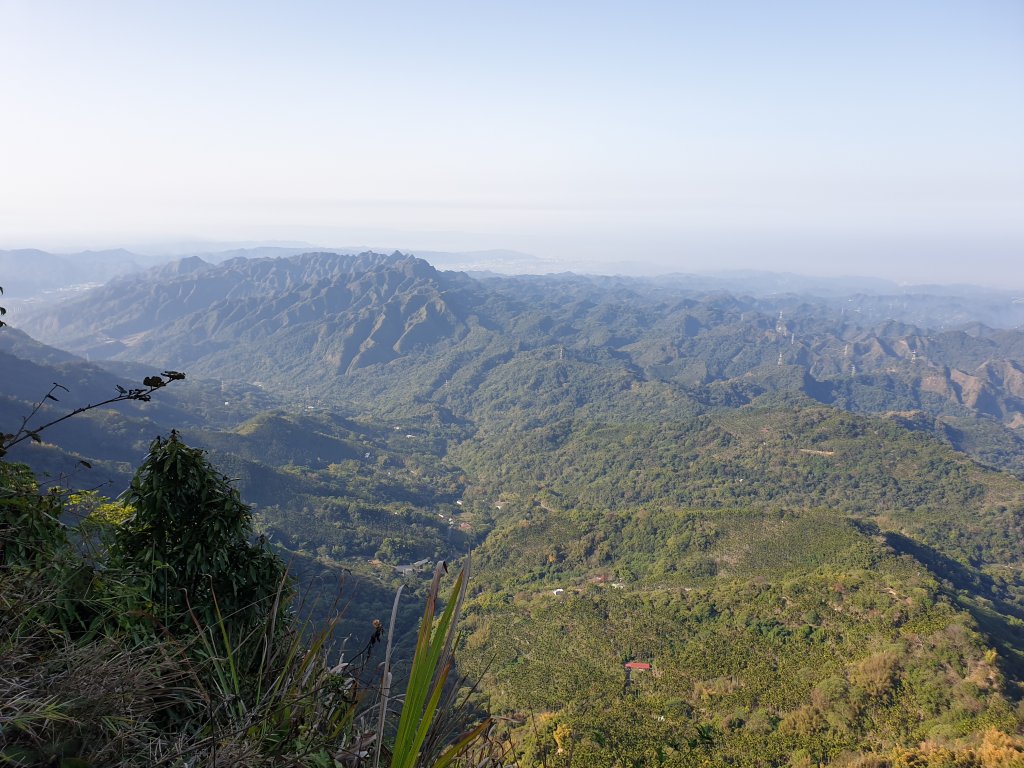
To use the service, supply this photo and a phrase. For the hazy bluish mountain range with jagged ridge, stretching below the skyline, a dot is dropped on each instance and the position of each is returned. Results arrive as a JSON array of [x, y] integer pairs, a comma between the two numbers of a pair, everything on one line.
[[337, 325]]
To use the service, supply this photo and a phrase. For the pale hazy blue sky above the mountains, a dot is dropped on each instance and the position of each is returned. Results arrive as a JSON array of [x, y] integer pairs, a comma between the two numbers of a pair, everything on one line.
[[859, 138]]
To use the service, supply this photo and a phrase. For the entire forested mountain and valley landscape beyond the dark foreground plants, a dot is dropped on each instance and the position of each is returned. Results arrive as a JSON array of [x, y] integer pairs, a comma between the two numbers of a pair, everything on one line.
[[801, 517]]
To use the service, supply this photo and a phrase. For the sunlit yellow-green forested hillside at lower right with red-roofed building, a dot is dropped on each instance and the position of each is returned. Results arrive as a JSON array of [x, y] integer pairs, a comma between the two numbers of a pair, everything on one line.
[[762, 561]]
